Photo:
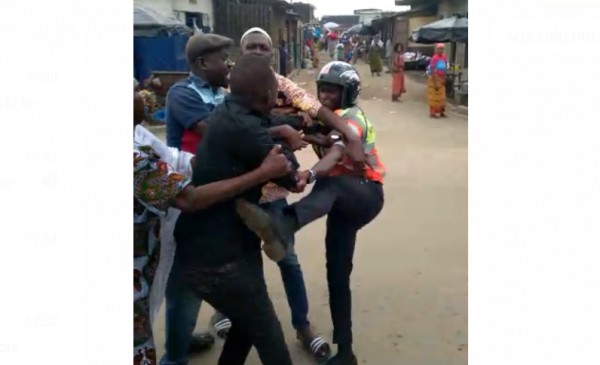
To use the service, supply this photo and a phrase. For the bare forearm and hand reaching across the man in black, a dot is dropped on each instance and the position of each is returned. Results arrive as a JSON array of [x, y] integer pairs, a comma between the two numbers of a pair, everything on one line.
[[194, 198]]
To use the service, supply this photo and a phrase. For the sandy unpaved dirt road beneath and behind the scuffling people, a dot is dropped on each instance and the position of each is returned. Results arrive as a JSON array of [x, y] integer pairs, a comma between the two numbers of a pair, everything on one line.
[[410, 270]]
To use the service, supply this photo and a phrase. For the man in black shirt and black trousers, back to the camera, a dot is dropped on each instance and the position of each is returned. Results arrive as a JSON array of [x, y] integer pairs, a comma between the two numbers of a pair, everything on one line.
[[221, 258]]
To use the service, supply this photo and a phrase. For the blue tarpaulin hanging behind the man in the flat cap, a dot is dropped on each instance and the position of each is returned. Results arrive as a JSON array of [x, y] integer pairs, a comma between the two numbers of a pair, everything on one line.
[[165, 53]]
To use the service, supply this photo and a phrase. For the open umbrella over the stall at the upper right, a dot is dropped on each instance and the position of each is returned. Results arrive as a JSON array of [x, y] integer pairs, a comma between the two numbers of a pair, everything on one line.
[[453, 29]]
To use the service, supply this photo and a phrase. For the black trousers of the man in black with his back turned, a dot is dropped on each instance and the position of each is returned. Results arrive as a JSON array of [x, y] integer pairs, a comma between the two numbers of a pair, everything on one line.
[[239, 291]]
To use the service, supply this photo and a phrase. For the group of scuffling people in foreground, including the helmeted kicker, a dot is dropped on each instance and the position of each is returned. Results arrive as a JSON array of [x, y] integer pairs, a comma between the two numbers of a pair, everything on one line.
[[205, 200]]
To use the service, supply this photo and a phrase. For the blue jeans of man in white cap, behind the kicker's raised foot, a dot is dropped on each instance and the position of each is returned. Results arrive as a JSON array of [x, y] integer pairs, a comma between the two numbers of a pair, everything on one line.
[[293, 280]]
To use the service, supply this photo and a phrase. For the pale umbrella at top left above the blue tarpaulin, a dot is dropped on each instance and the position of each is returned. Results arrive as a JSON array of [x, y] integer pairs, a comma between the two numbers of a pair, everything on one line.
[[147, 22]]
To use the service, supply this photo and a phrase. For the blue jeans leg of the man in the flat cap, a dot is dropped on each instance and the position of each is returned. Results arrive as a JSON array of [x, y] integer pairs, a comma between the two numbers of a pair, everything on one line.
[[182, 311]]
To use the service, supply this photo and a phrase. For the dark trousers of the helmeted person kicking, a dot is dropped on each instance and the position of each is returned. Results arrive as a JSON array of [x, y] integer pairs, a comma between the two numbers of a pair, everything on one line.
[[350, 203]]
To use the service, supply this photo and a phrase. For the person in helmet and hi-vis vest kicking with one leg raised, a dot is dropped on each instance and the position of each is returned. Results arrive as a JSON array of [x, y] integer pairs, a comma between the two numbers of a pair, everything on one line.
[[350, 199]]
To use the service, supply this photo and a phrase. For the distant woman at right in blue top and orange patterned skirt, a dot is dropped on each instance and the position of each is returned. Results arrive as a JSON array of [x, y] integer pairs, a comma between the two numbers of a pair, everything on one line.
[[436, 83]]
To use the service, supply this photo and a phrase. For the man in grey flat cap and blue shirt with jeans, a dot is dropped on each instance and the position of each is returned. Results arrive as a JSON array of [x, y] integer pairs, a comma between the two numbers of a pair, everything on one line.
[[188, 104]]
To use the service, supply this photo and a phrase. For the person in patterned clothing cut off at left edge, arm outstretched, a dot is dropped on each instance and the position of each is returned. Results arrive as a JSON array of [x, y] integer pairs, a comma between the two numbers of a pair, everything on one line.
[[162, 180]]
